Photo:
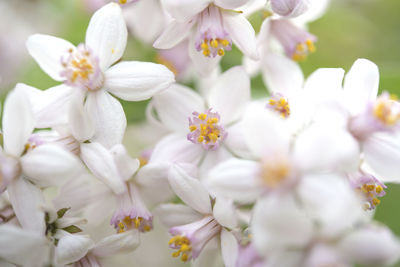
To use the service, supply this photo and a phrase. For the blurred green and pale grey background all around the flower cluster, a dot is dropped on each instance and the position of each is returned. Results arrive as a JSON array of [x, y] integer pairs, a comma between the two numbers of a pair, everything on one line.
[[350, 29]]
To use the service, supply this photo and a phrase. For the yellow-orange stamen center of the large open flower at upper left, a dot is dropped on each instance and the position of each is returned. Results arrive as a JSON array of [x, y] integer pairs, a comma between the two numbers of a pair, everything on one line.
[[81, 69]]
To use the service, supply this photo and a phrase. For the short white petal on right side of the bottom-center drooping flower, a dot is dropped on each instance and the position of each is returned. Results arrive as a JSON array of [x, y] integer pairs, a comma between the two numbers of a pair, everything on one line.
[[224, 212]]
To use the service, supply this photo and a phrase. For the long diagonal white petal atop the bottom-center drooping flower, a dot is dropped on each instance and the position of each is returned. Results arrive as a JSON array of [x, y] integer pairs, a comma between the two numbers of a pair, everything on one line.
[[190, 190]]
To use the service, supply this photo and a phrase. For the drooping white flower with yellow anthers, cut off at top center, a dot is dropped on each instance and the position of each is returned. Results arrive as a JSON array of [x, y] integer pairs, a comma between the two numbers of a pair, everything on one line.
[[217, 27]]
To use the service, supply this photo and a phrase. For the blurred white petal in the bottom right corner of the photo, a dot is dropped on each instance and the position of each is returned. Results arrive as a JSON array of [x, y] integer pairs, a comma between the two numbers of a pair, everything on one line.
[[373, 245]]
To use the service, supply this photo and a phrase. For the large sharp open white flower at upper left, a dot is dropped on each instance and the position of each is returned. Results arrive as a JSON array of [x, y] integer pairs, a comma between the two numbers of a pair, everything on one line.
[[87, 72]]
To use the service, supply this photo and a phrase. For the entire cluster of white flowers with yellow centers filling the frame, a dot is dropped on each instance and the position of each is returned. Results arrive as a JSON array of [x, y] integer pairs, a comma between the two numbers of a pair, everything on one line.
[[288, 179]]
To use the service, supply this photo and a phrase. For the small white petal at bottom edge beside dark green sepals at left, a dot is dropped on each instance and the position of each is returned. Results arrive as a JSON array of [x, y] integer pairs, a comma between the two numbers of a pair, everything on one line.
[[71, 248]]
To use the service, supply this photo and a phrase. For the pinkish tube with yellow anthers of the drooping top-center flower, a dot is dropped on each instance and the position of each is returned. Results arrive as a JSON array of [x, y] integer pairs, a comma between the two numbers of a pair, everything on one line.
[[212, 39]]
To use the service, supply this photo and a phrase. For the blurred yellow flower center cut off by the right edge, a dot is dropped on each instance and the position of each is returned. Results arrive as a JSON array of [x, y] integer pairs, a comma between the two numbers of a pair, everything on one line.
[[387, 110]]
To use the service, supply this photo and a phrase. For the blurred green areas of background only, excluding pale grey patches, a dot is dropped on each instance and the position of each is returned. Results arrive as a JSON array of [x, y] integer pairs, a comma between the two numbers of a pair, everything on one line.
[[350, 29]]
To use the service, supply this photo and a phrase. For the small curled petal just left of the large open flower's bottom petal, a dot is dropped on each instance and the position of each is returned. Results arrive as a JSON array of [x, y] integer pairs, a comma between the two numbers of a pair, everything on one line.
[[80, 123]]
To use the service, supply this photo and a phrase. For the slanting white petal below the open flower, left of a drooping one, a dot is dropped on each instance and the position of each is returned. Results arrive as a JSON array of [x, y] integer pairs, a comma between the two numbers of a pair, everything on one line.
[[101, 163]]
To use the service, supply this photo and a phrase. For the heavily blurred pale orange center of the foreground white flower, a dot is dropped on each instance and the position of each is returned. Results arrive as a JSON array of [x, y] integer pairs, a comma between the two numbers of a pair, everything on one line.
[[274, 172]]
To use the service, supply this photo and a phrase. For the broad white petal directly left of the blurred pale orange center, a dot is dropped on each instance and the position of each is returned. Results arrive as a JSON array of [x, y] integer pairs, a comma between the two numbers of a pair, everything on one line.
[[235, 179]]
